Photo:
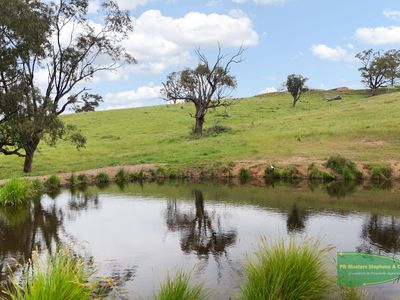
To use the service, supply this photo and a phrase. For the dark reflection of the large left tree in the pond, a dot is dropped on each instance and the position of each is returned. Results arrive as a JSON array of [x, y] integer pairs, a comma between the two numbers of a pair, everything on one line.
[[35, 227]]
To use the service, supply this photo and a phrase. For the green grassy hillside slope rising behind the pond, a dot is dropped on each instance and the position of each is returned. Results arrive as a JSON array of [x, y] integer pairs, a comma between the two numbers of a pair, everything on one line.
[[265, 127]]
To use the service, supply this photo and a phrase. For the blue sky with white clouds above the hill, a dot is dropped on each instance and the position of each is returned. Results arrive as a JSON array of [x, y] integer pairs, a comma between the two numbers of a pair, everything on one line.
[[315, 38]]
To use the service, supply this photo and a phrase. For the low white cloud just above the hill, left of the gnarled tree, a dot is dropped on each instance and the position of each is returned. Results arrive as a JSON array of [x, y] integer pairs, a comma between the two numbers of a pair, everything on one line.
[[132, 98]]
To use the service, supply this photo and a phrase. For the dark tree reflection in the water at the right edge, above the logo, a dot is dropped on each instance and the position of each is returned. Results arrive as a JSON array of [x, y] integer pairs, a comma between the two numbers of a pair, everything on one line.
[[380, 233]]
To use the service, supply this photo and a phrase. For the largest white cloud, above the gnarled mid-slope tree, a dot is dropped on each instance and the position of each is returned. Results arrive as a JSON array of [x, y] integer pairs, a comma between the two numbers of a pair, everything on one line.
[[159, 42]]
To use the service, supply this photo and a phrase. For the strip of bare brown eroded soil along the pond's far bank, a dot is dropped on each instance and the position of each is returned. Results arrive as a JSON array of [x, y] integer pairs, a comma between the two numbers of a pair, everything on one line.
[[219, 171]]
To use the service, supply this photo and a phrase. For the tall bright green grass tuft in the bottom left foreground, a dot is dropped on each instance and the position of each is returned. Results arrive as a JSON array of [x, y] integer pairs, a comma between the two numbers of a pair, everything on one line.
[[63, 276]]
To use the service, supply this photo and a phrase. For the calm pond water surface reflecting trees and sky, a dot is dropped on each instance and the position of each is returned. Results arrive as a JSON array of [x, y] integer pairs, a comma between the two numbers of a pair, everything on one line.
[[139, 233]]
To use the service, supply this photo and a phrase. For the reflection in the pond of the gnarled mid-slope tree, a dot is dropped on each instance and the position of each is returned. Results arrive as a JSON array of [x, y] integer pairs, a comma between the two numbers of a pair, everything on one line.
[[201, 231]]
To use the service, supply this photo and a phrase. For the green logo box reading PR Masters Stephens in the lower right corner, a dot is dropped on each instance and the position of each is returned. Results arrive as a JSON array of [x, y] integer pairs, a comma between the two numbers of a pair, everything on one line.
[[362, 269]]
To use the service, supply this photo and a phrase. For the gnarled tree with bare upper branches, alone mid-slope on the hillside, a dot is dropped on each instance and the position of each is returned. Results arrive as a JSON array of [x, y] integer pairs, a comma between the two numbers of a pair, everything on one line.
[[207, 86]]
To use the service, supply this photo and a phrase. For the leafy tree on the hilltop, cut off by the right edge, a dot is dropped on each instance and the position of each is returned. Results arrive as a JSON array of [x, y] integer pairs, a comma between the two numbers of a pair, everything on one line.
[[379, 69]]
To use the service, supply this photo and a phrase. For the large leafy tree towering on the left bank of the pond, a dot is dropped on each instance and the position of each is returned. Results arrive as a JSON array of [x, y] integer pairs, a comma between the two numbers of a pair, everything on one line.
[[59, 39]]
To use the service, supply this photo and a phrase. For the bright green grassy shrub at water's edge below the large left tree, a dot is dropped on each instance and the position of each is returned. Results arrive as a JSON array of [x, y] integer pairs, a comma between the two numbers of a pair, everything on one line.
[[14, 192]]
